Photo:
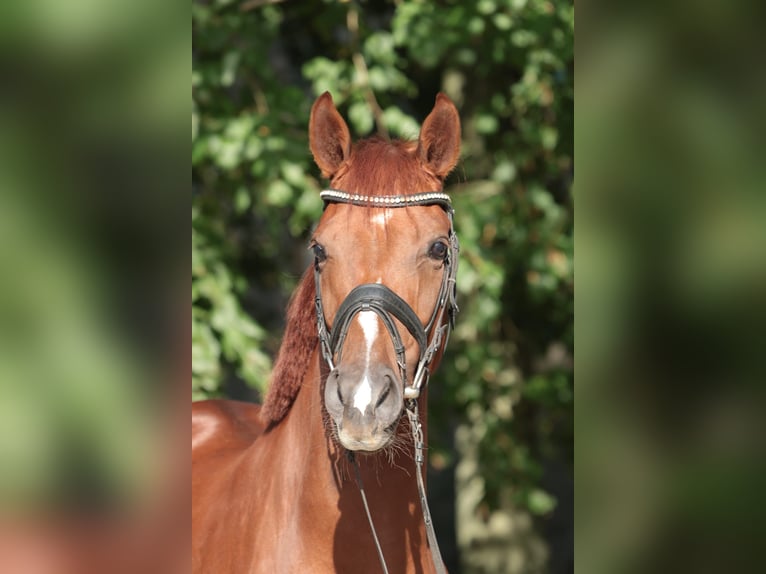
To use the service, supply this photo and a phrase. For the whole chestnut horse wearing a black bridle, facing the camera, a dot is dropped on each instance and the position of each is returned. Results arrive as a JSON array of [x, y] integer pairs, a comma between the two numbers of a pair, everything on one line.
[[280, 488]]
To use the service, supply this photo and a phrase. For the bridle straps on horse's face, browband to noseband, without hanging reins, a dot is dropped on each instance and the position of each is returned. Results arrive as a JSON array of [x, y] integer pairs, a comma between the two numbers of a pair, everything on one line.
[[388, 305]]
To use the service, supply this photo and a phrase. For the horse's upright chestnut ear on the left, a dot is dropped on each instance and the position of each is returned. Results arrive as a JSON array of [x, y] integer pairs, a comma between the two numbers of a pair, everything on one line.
[[329, 137]]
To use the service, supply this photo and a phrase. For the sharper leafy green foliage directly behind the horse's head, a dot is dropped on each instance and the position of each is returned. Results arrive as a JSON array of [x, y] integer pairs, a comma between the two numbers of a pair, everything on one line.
[[508, 65]]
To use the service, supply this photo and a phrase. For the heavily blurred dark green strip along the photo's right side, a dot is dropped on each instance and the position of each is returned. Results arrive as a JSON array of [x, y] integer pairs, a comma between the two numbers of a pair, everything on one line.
[[672, 217]]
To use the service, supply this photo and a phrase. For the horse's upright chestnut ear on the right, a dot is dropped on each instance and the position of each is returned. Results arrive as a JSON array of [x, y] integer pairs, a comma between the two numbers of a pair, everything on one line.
[[439, 142]]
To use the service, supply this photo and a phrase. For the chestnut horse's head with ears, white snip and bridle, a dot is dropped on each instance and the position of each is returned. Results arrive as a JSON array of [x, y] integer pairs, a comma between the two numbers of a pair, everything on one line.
[[385, 260]]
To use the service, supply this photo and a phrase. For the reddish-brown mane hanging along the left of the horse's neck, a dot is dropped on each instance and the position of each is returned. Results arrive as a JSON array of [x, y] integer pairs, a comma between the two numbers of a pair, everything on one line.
[[297, 347]]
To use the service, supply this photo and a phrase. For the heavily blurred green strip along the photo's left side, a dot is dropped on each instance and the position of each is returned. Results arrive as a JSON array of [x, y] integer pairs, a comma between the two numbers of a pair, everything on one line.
[[89, 344]]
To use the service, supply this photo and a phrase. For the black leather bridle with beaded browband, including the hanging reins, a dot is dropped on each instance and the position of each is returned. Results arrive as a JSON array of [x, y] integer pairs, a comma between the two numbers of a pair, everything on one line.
[[430, 337]]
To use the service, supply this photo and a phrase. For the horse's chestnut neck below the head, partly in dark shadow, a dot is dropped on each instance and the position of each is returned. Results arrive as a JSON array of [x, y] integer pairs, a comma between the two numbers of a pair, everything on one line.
[[329, 504]]
